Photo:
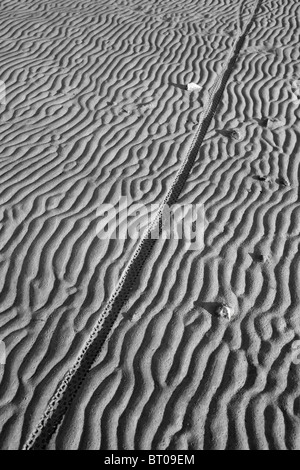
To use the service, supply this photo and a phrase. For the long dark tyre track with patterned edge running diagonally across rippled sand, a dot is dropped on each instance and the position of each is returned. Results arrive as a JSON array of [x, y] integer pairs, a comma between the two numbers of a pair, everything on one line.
[[67, 390]]
